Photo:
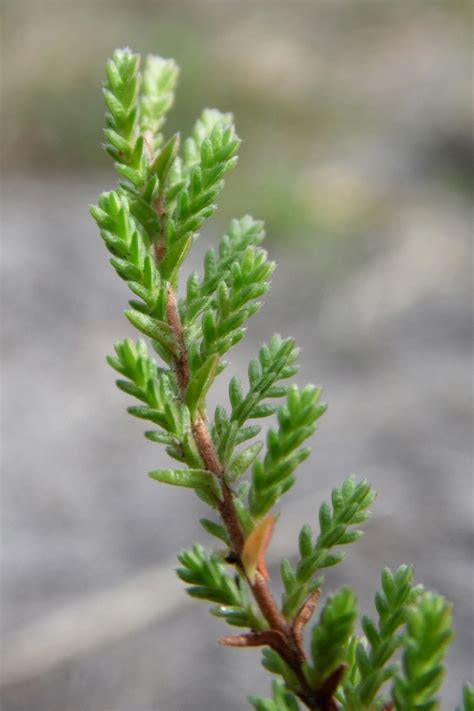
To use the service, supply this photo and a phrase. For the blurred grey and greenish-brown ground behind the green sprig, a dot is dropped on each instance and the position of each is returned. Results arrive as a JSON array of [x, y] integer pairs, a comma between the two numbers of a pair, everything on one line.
[[357, 152]]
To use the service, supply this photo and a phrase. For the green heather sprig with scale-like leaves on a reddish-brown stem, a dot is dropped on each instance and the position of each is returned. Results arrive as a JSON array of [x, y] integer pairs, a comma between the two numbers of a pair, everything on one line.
[[149, 223]]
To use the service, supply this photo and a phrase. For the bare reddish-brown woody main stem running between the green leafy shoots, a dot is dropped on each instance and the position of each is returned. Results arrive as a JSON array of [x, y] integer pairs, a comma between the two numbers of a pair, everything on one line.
[[291, 648]]
